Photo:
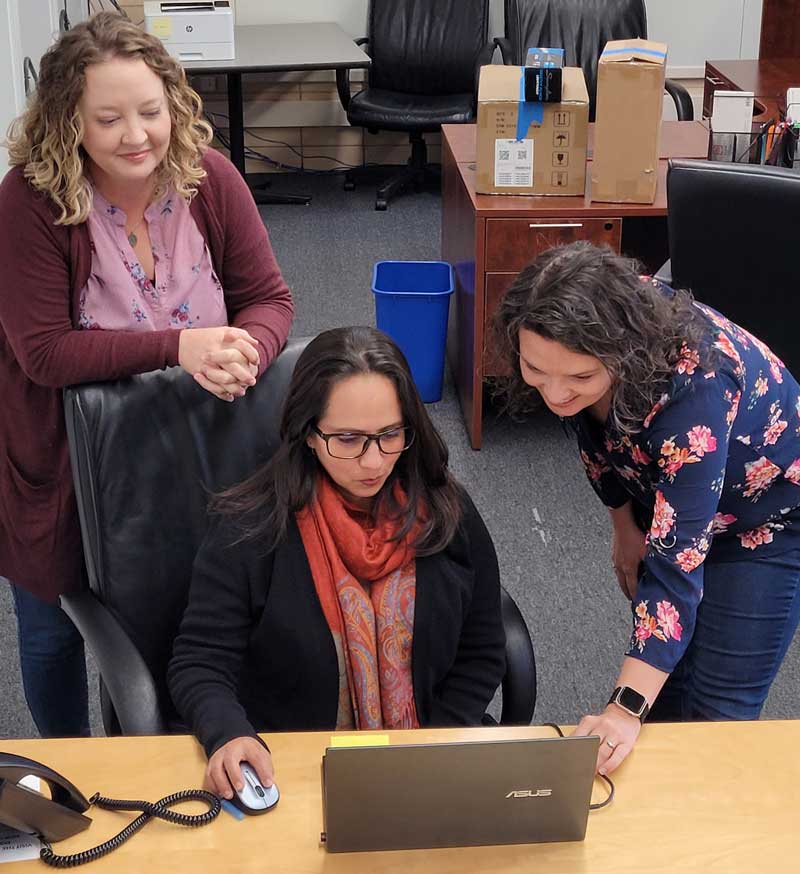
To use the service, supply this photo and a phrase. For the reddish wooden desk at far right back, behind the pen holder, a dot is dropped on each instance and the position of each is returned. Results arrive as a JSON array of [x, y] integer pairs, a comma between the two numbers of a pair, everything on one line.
[[767, 79]]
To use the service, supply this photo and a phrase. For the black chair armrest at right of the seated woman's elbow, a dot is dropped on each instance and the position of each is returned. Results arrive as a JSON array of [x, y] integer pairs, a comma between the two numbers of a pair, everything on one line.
[[519, 682]]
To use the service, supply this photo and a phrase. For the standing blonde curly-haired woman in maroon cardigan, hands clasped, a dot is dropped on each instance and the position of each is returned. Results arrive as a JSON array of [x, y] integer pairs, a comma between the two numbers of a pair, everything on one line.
[[127, 245]]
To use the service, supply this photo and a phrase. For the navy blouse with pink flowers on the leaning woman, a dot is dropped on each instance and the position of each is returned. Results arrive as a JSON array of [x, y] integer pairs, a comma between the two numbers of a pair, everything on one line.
[[717, 461]]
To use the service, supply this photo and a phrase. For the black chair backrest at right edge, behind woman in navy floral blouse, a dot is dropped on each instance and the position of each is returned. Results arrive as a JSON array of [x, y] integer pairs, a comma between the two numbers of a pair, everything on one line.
[[732, 242]]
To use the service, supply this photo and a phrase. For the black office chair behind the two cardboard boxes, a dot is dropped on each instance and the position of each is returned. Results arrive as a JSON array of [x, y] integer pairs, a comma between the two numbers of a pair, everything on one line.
[[582, 28]]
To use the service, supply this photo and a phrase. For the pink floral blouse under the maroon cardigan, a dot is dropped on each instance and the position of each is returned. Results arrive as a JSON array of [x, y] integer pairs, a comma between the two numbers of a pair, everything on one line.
[[119, 296]]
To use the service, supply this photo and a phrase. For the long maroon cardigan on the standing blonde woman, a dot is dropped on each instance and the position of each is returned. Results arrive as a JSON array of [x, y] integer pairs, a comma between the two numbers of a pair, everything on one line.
[[43, 268]]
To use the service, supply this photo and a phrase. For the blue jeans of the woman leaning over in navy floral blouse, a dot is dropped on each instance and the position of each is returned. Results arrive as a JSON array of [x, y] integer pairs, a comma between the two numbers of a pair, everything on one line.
[[745, 624]]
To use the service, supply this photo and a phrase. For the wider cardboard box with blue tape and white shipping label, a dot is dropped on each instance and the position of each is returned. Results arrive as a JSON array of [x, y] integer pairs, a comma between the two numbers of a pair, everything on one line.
[[528, 147]]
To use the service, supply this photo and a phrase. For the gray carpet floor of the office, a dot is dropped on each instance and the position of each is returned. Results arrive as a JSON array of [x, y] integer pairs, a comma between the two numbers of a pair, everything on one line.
[[551, 533]]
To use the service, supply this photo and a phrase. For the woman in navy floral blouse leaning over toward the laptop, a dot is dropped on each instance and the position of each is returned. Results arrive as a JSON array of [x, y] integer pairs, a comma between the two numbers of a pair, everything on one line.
[[689, 429]]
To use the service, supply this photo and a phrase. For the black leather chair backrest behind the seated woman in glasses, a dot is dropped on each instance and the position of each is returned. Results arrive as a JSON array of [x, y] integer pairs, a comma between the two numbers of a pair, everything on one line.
[[146, 454]]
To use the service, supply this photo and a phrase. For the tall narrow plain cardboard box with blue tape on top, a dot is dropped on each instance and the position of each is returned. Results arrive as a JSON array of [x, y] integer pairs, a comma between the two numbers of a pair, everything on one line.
[[630, 97]]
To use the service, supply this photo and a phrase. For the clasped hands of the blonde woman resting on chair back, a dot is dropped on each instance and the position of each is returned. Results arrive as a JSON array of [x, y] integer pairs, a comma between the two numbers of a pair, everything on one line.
[[224, 361]]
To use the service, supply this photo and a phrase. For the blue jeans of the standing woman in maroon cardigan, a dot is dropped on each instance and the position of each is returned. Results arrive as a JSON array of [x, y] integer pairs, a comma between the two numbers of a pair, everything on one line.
[[53, 665]]
